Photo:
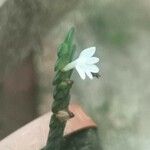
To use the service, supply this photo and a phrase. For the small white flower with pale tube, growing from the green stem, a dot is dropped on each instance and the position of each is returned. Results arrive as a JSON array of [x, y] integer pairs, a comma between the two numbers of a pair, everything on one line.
[[85, 63]]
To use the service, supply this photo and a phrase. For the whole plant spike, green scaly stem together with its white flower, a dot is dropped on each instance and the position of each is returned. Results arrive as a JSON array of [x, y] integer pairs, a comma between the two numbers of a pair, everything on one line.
[[85, 64]]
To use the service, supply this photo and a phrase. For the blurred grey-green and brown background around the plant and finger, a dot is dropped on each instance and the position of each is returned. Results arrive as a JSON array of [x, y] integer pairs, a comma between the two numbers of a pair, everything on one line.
[[30, 32]]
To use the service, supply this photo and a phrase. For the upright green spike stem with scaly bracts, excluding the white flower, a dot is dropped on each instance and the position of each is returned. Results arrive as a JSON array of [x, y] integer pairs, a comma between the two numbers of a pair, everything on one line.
[[61, 94]]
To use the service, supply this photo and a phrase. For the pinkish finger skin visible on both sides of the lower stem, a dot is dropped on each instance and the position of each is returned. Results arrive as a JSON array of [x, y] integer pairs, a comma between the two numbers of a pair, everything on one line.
[[33, 136]]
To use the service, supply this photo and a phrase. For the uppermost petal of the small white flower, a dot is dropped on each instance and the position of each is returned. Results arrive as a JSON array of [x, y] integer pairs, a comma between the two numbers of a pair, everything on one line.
[[88, 52]]
